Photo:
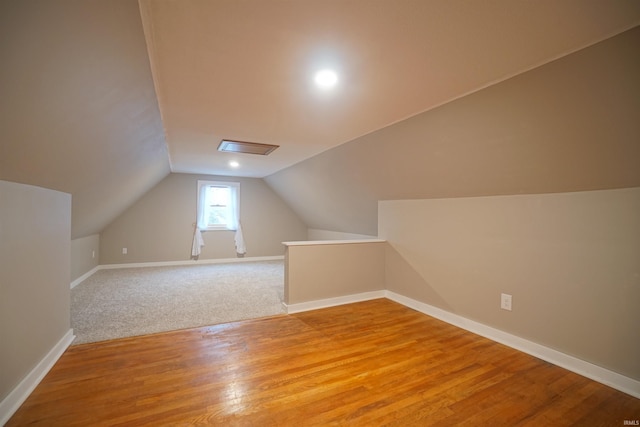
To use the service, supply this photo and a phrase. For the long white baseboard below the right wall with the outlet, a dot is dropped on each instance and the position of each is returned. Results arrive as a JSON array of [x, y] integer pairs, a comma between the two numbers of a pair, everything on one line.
[[589, 370]]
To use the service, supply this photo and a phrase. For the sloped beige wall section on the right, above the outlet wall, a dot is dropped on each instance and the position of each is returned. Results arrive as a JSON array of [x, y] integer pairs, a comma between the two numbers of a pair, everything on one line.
[[570, 125]]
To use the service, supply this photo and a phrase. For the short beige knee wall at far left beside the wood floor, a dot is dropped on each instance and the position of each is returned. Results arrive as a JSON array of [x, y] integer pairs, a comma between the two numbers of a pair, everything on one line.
[[35, 234]]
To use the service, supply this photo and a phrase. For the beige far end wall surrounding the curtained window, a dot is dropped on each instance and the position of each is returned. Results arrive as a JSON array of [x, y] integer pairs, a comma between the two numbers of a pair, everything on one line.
[[159, 227]]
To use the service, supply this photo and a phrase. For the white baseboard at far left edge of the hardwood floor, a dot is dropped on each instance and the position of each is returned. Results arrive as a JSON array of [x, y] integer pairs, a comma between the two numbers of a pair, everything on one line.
[[18, 395]]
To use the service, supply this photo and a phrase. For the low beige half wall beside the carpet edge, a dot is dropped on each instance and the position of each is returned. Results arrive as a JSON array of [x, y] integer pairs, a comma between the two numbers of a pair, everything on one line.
[[321, 271]]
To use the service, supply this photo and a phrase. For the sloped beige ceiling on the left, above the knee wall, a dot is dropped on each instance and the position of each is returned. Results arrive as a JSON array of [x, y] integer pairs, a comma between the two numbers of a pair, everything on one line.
[[78, 110]]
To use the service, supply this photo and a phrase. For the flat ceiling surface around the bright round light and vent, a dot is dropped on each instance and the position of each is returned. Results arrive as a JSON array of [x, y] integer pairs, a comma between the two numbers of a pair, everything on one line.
[[244, 69]]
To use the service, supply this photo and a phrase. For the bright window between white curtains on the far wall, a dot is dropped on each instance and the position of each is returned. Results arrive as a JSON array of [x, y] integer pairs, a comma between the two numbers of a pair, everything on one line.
[[218, 205]]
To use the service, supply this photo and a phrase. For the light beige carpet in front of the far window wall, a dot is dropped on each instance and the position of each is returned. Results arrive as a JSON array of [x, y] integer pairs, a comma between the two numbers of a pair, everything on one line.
[[137, 301]]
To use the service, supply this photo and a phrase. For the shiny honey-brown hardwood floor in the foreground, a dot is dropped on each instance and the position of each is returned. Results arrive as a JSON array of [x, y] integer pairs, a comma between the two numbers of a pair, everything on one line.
[[370, 364]]
